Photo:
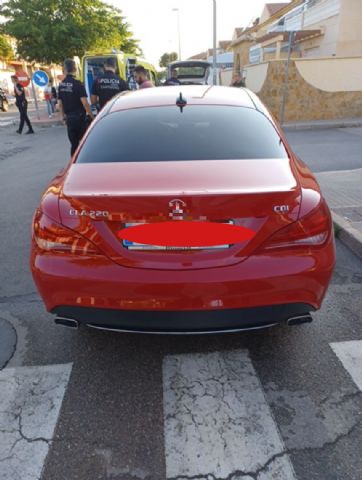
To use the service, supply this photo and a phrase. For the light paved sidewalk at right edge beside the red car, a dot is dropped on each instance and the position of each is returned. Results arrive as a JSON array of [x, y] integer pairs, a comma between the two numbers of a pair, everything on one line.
[[343, 191]]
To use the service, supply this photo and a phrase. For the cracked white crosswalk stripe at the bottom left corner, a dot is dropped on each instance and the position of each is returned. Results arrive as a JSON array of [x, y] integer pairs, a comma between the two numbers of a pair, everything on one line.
[[30, 402]]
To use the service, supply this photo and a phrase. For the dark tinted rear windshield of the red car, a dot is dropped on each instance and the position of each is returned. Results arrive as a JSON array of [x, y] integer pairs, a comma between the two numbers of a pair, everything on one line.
[[157, 134]]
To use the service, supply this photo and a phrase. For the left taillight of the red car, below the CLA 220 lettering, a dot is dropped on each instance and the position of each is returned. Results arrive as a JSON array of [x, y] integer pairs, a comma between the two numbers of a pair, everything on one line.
[[52, 237]]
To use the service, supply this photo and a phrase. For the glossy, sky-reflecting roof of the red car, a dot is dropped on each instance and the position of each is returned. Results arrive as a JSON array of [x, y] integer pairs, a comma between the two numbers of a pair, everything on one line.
[[193, 94]]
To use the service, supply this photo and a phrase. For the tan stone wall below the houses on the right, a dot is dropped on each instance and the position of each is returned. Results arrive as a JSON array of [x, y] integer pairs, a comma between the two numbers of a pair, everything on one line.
[[304, 100]]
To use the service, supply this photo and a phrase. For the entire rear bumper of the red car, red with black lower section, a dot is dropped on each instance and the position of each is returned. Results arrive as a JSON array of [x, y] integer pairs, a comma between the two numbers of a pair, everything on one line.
[[259, 291]]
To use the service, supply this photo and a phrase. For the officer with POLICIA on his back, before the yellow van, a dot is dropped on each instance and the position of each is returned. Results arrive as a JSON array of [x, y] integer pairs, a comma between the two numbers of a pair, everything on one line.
[[107, 85]]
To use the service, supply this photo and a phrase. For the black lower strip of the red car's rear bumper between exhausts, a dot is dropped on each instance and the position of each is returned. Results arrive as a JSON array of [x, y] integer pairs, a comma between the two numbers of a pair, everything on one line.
[[176, 322]]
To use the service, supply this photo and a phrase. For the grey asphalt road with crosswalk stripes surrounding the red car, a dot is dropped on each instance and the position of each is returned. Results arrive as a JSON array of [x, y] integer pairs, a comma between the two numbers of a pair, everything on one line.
[[280, 404]]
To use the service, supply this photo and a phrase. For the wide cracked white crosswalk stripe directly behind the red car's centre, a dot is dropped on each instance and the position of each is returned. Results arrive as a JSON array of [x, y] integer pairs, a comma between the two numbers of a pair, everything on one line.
[[217, 422]]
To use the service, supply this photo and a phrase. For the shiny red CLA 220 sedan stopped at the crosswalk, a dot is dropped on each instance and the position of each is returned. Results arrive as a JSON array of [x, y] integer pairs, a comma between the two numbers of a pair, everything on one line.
[[209, 154]]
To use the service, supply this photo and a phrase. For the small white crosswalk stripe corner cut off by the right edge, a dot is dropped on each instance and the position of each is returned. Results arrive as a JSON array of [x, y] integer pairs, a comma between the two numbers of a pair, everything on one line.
[[350, 354]]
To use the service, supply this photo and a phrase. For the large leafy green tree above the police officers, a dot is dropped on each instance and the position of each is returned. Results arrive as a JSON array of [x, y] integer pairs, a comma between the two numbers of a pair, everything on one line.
[[48, 31]]
